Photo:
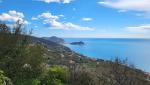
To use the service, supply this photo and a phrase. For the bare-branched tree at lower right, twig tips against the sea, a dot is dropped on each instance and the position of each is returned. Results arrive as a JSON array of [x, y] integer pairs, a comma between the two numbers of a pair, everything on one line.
[[120, 73]]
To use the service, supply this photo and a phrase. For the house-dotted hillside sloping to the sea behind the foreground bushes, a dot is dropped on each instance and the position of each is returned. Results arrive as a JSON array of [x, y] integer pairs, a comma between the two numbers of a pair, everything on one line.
[[102, 72]]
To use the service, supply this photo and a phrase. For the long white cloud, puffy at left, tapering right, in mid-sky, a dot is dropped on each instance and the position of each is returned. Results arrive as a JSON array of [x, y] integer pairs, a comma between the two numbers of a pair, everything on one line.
[[54, 23]]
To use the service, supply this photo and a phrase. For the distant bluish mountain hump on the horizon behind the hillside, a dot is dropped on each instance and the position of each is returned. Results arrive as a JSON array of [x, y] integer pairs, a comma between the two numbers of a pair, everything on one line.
[[55, 39]]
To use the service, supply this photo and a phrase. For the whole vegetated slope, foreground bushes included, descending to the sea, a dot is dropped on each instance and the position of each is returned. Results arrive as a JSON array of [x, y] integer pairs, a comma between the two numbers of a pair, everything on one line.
[[26, 60]]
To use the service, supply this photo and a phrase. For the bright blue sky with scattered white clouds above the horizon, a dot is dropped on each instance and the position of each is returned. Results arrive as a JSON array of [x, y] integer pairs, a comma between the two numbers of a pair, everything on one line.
[[80, 18]]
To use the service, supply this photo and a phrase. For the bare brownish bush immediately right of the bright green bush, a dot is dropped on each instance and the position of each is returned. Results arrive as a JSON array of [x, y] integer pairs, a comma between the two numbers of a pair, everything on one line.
[[81, 75]]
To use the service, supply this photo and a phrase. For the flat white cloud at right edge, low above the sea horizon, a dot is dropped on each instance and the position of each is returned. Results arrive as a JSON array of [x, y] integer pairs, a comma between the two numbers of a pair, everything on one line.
[[139, 29]]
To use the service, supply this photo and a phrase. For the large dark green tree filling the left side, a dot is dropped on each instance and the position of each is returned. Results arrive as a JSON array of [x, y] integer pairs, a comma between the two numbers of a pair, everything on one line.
[[21, 60]]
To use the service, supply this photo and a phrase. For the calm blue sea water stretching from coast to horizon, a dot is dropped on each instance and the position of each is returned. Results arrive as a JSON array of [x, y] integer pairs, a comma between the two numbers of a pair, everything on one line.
[[137, 51]]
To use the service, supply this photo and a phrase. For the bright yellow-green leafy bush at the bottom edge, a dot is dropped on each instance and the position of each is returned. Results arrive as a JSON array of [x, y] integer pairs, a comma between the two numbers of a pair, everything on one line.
[[56, 75]]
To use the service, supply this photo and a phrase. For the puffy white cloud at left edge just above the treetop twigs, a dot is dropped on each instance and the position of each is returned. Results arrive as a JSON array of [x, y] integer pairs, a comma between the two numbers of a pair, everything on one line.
[[13, 16]]
